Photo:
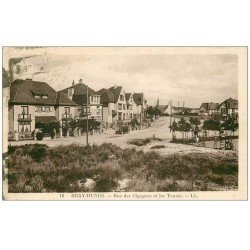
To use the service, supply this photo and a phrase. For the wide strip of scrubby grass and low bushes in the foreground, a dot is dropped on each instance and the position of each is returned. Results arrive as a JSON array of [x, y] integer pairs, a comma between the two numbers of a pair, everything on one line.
[[38, 168]]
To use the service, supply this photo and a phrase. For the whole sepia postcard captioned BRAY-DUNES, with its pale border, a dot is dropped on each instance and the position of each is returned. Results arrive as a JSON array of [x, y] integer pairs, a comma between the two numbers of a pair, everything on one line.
[[124, 123]]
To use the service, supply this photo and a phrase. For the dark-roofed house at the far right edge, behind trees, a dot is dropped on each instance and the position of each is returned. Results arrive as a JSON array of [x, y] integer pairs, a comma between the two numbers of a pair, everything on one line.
[[228, 108]]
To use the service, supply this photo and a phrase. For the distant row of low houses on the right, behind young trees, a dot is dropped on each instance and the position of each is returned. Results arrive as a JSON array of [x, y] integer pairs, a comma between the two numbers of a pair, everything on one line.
[[227, 108]]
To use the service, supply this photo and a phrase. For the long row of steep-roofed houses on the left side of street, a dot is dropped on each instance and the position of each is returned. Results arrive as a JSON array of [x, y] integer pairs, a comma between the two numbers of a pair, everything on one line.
[[33, 101]]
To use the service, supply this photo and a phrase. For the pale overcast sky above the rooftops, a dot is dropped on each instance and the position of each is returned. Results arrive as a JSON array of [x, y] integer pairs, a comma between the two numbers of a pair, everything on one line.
[[189, 78]]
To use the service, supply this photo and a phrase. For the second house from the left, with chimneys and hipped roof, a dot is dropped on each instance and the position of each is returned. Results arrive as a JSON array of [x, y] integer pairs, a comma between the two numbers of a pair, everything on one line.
[[78, 94]]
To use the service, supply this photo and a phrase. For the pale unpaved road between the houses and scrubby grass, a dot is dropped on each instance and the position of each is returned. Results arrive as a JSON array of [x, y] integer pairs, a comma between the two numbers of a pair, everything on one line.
[[159, 128]]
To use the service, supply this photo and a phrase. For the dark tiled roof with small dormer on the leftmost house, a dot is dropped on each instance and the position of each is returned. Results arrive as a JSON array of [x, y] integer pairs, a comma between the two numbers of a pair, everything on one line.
[[24, 91]]
